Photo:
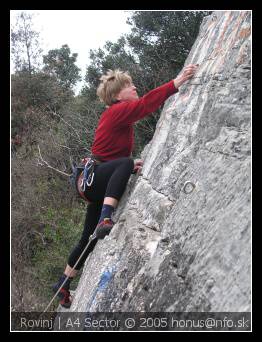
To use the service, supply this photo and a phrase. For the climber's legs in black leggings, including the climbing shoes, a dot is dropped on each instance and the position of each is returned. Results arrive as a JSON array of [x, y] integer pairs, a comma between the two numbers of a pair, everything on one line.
[[109, 185]]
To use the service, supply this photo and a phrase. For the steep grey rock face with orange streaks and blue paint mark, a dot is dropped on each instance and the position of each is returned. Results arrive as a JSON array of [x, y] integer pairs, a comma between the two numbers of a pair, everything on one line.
[[181, 246]]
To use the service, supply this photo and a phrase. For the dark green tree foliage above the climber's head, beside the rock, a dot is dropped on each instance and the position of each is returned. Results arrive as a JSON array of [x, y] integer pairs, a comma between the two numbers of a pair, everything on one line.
[[153, 53]]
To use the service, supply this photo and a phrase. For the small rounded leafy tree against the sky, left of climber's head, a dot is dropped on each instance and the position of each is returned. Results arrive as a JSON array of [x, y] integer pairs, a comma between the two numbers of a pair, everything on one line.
[[61, 64]]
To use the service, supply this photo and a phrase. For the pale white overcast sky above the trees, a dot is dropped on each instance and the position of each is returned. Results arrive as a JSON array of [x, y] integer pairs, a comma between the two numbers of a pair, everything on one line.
[[81, 30]]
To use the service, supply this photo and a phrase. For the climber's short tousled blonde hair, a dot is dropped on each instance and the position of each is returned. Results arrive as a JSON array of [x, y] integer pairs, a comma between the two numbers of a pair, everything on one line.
[[111, 84]]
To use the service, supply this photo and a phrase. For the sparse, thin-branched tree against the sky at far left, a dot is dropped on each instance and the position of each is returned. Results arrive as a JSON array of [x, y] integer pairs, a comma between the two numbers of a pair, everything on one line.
[[25, 46]]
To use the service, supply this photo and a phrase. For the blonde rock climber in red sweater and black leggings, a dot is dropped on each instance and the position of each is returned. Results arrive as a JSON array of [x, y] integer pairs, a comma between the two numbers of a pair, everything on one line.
[[112, 148]]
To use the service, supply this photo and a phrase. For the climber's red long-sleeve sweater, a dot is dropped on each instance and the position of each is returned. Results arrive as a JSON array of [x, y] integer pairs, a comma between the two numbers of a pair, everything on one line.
[[114, 136]]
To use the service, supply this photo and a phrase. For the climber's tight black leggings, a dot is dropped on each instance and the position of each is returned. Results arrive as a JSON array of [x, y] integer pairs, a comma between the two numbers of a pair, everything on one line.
[[110, 180]]
